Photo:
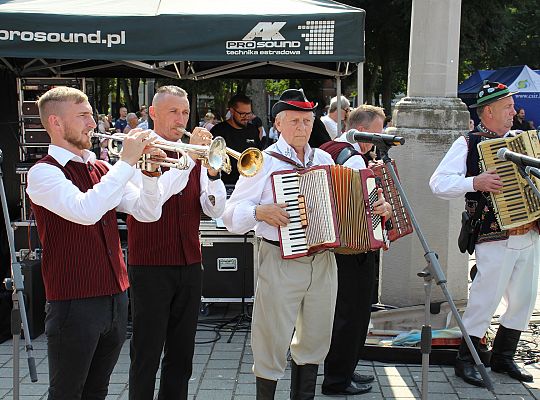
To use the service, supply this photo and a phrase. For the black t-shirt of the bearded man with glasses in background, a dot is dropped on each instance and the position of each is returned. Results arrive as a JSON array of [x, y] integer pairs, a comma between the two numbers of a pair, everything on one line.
[[239, 140]]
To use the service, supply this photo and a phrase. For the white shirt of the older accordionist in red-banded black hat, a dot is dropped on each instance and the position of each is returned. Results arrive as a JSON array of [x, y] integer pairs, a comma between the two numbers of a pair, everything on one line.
[[250, 192]]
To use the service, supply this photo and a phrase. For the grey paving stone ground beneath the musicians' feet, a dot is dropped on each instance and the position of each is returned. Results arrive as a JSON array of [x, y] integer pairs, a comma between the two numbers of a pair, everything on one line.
[[222, 371]]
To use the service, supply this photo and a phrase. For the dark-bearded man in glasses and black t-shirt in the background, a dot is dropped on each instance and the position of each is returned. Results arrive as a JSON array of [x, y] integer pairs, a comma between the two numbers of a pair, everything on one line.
[[237, 131]]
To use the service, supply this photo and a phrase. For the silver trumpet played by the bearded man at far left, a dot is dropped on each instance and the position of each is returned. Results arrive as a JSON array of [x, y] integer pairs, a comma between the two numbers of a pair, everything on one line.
[[214, 154]]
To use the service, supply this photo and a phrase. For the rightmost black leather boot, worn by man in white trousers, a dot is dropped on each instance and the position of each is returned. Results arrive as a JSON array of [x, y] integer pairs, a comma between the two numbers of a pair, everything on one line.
[[502, 357]]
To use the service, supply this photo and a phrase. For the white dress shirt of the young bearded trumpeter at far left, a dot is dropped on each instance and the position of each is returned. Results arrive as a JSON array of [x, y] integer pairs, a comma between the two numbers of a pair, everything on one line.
[[48, 187]]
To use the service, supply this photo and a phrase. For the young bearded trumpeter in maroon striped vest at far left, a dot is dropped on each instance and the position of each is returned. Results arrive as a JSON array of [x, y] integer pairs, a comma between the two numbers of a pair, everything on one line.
[[74, 198]]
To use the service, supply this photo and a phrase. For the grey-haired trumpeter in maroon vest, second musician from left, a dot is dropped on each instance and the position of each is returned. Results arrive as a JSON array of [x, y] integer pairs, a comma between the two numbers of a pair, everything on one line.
[[165, 264]]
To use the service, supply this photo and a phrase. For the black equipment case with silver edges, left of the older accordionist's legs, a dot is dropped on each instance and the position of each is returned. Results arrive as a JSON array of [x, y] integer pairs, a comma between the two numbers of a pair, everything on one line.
[[228, 267]]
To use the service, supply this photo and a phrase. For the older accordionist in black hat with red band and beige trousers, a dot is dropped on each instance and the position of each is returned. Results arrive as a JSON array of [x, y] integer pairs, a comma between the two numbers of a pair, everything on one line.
[[293, 295]]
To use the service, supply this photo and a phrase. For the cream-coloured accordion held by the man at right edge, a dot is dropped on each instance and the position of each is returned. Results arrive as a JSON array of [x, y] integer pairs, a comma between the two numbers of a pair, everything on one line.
[[517, 204]]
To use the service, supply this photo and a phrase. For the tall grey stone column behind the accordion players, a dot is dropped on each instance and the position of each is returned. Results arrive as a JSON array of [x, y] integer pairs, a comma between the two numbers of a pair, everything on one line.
[[430, 118]]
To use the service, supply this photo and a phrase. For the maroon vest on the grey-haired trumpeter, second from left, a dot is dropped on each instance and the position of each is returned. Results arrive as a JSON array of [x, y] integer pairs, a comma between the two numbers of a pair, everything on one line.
[[174, 238]]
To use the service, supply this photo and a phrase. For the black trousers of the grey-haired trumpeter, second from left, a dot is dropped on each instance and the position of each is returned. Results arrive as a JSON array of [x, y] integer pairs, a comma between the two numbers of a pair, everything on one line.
[[165, 304]]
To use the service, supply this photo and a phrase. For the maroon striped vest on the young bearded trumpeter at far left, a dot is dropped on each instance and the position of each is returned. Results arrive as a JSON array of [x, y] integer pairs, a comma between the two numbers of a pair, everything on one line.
[[80, 261]]
